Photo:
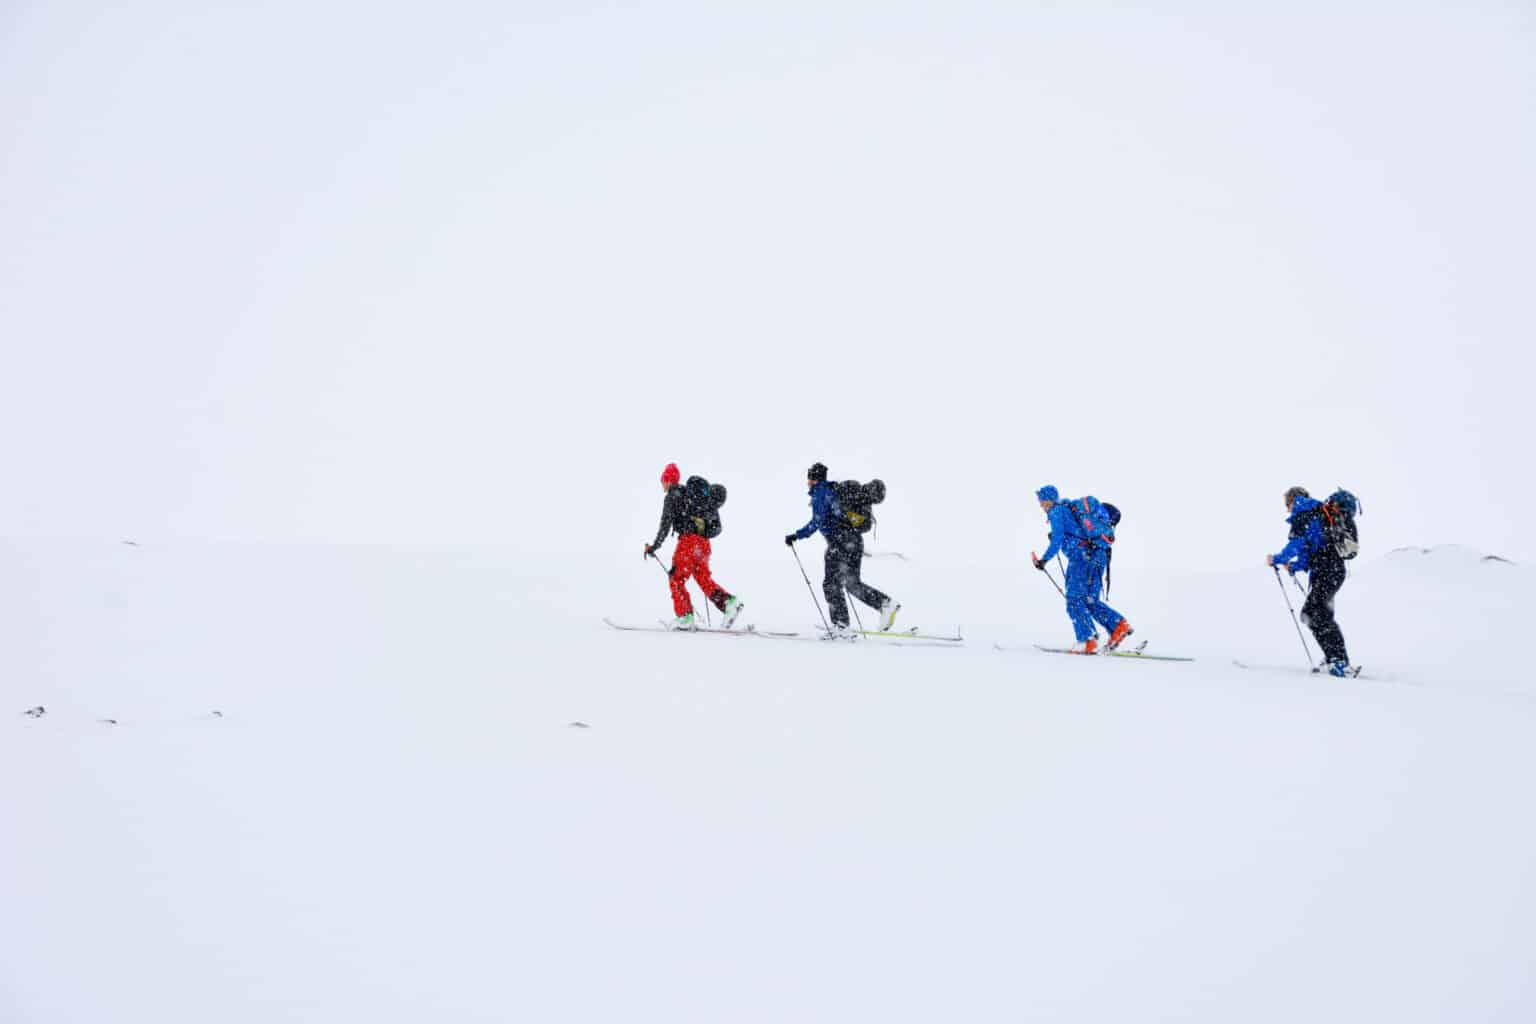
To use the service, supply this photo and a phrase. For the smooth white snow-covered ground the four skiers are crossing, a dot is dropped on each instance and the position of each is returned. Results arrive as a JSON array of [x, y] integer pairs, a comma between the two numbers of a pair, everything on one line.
[[394, 818]]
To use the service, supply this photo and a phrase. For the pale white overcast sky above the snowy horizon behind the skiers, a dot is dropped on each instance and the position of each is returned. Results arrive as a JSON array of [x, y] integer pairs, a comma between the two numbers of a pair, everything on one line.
[[477, 271]]
